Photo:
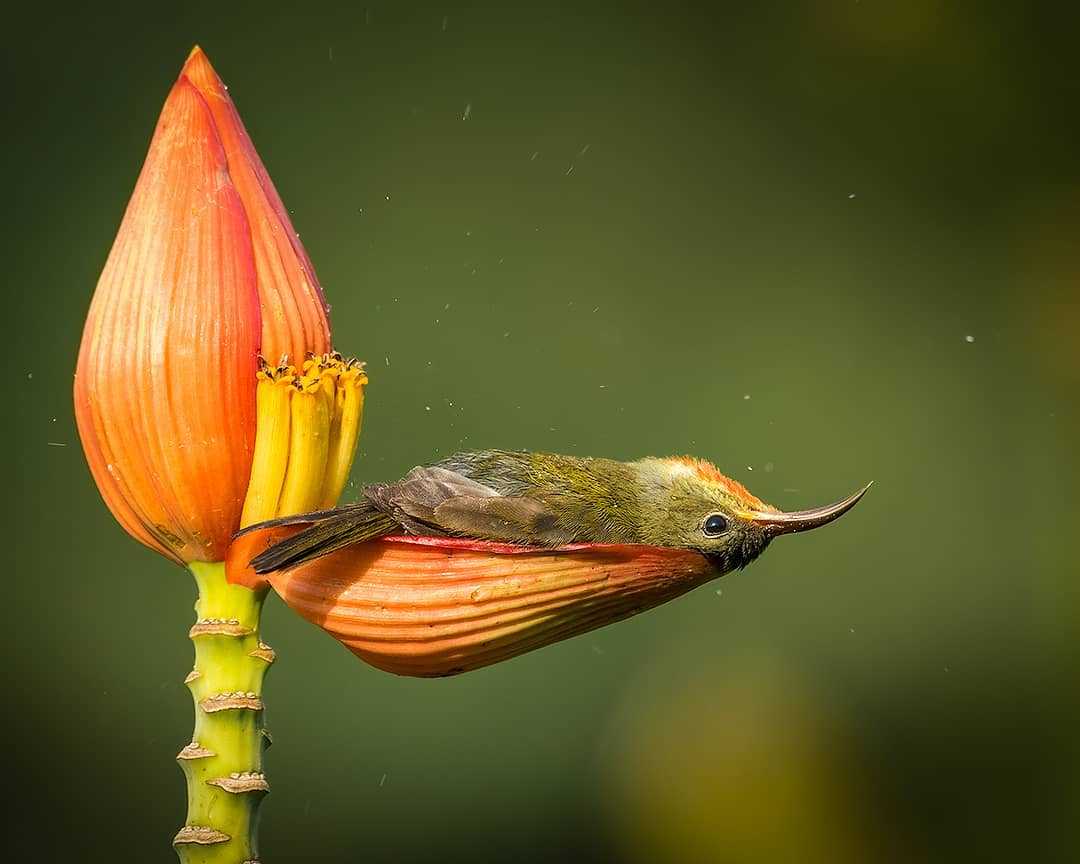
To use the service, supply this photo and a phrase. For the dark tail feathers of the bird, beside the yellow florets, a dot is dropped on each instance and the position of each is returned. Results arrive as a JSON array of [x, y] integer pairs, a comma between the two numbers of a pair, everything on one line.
[[332, 531]]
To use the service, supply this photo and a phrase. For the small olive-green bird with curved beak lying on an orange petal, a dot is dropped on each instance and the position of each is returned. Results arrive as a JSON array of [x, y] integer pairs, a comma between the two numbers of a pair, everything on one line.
[[547, 502]]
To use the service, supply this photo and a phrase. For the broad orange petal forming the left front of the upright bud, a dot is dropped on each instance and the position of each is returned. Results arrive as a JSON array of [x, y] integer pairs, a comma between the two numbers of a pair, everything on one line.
[[165, 390]]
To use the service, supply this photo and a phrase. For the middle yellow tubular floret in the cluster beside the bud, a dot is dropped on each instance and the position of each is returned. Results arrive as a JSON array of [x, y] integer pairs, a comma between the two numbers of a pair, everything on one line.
[[309, 442]]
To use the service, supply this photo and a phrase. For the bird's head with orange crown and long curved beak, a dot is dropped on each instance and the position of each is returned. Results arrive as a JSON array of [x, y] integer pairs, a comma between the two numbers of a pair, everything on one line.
[[691, 505]]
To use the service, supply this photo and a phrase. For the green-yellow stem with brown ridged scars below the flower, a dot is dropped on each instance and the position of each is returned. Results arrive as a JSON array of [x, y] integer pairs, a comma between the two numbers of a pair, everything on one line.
[[224, 762]]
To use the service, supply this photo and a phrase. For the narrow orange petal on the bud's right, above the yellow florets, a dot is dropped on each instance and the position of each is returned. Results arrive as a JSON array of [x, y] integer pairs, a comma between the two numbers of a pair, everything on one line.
[[294, 309]]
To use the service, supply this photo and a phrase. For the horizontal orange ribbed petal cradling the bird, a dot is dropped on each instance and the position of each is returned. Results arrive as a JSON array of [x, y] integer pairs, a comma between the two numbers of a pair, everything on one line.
[[433, 606]]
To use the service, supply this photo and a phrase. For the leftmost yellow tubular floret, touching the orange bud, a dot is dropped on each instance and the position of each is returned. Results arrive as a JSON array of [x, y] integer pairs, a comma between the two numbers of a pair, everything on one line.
[[273, 397]]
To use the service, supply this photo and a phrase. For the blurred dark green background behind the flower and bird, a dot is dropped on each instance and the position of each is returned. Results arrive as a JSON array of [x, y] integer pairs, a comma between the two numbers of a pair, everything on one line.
[[818, 244]]
